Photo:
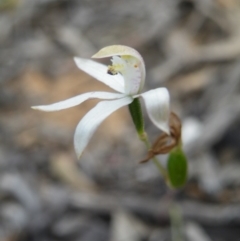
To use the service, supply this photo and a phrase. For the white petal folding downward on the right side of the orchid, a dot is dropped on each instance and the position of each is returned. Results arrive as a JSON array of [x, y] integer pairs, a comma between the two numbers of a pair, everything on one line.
[[157, 105]]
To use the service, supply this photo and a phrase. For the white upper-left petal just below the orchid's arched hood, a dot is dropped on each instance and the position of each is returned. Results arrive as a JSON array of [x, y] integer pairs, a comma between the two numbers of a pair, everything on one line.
[[99, 72]]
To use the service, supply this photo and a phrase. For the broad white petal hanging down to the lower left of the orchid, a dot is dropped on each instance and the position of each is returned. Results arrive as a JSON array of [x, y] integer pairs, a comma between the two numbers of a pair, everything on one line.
[[93, 119]]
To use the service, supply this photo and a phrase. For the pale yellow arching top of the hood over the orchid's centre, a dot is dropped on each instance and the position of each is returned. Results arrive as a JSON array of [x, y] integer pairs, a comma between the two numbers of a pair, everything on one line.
[[114, 50]]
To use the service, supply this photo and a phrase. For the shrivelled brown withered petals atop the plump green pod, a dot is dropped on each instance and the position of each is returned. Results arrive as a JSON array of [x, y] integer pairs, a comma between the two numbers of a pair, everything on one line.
[[165, 143]]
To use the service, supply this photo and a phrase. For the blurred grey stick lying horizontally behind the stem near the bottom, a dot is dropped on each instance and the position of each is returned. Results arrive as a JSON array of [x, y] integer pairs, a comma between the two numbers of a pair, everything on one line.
[[208, 214]]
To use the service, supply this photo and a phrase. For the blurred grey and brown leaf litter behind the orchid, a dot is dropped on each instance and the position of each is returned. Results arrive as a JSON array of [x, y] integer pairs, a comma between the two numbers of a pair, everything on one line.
[[46, 194]]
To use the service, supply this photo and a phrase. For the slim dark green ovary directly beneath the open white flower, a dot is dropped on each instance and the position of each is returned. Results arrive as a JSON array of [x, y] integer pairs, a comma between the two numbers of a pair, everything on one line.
[[137, 117]]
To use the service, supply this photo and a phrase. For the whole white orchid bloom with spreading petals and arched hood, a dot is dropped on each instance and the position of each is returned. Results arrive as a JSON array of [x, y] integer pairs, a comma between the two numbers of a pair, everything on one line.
[[126, 75]]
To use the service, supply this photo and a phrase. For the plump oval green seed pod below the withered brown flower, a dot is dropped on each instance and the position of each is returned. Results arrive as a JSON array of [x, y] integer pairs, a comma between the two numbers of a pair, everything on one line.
[[177, 168]]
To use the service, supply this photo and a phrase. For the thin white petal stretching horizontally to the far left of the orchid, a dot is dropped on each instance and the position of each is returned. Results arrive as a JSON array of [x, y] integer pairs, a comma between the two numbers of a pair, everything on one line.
[[78, 100]]
